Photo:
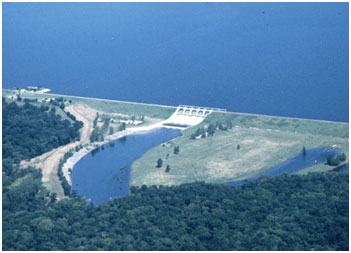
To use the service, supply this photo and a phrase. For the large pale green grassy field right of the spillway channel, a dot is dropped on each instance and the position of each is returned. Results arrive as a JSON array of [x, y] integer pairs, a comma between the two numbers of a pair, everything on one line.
[[264, 143]]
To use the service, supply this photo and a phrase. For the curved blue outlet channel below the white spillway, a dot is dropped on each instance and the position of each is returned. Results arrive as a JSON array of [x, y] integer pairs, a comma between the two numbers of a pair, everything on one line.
[[98, 177]]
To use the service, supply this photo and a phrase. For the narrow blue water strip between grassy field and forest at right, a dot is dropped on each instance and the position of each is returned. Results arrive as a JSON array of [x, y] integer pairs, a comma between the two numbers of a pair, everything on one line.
[[294, 164]]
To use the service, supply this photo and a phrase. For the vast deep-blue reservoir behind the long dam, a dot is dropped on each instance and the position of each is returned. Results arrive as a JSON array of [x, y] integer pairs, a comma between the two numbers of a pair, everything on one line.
[[284, 59]]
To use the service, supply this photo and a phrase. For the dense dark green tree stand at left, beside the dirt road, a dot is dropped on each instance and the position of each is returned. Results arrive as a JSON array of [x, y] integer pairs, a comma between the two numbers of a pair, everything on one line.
[[29, 130]]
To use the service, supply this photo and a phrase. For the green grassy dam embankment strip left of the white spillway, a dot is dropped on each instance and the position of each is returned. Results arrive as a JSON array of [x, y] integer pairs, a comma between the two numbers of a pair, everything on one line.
[[151, 111]]
